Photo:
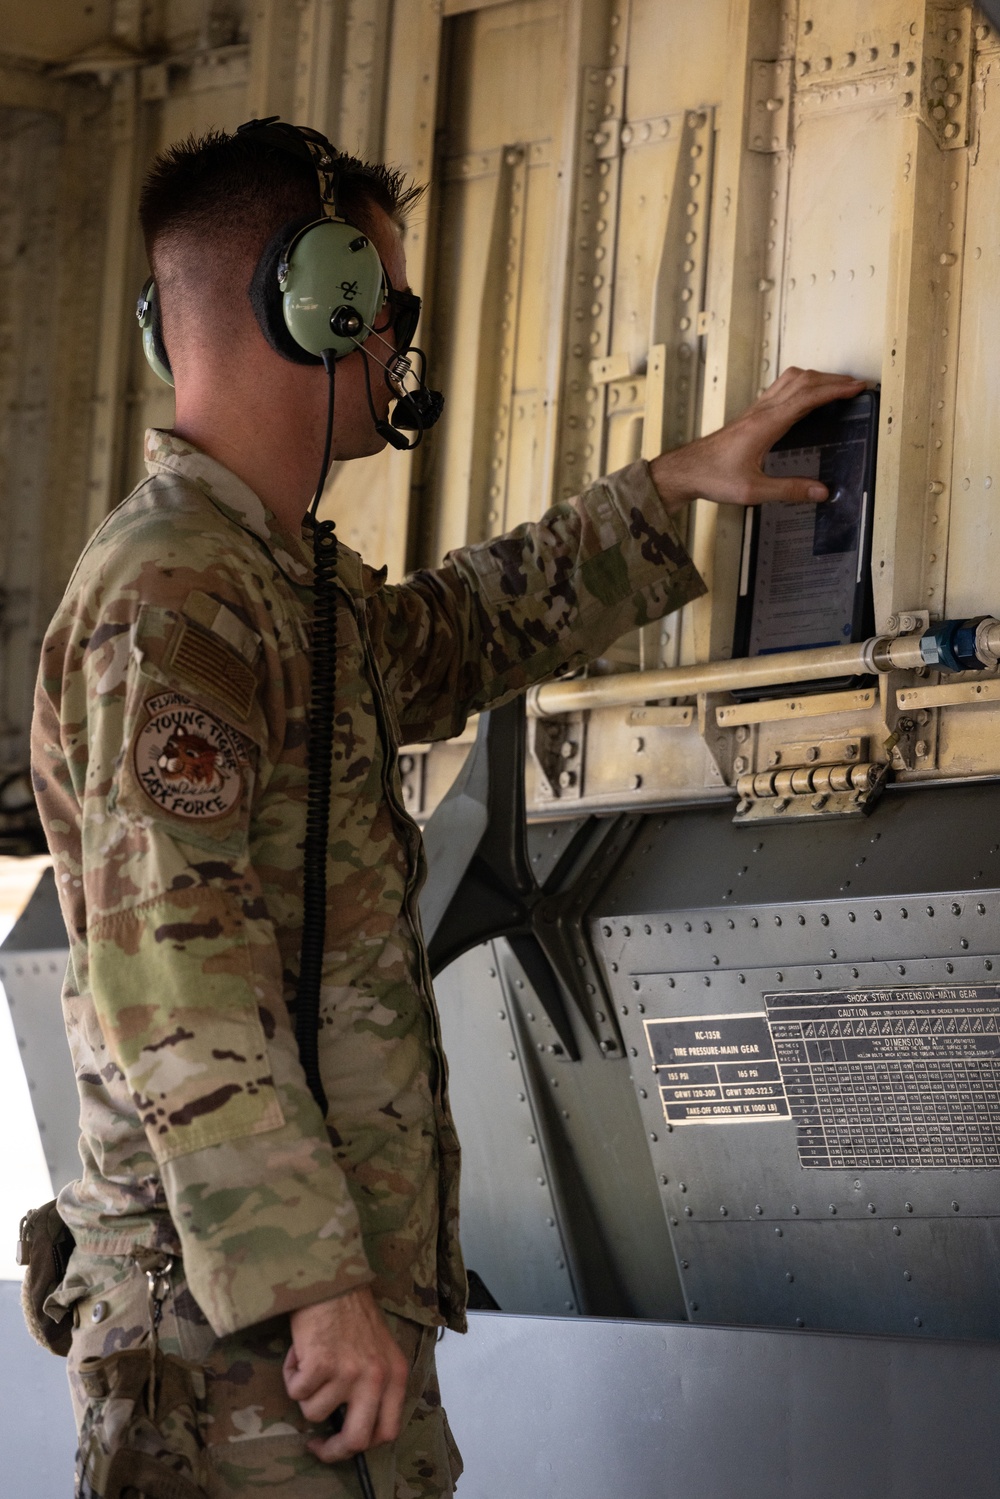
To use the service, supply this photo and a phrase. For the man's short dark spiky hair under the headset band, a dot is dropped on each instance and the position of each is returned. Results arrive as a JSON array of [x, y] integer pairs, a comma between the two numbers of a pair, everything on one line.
[[241, 191]]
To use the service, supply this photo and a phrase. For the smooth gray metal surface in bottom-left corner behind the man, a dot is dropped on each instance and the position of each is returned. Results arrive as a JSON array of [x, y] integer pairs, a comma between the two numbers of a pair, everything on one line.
[[38, 1438]]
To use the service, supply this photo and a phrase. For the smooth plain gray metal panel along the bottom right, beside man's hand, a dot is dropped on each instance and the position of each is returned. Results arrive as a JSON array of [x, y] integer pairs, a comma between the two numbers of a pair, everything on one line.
[[587, 1410]]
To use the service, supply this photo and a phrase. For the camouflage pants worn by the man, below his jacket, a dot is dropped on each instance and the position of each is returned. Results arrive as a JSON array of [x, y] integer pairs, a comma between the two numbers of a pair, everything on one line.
[[256, 1434]]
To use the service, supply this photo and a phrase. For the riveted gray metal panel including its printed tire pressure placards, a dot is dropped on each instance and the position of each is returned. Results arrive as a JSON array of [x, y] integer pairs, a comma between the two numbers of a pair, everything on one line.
[[716, 924]]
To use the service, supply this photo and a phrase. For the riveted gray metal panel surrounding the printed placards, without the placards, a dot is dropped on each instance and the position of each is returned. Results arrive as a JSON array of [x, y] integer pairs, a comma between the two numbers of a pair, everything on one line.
[[759, 1236]]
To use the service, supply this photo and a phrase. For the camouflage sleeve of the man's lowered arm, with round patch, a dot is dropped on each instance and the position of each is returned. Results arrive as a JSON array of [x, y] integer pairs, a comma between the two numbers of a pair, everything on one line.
[[163, 729]]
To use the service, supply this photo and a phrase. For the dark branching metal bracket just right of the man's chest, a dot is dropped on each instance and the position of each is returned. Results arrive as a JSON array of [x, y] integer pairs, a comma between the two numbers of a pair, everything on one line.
[[482, 885]]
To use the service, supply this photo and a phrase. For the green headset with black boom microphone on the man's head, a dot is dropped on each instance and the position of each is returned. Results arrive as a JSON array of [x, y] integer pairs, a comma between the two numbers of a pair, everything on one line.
[[319, 292]]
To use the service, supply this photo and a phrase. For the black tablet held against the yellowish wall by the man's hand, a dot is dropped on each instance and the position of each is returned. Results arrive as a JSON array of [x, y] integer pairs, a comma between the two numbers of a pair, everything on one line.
[[806, 570]]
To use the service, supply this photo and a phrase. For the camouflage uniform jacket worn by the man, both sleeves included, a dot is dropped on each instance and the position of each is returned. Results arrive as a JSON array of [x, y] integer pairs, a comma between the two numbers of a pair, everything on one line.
[[170, 768]]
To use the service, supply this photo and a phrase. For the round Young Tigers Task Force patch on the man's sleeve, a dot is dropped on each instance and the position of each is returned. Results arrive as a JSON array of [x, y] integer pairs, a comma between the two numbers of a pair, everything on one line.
[[187, 761]]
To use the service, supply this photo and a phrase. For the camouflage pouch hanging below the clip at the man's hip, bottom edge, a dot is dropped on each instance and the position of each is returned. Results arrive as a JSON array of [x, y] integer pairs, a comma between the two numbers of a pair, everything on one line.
[[143, 1434]]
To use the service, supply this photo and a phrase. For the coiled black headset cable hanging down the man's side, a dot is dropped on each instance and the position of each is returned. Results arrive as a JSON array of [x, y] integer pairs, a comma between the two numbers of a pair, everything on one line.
[[323, 698]]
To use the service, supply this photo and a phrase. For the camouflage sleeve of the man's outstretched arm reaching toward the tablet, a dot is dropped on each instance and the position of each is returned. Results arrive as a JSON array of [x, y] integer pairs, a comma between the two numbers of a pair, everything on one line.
[[548, 597]]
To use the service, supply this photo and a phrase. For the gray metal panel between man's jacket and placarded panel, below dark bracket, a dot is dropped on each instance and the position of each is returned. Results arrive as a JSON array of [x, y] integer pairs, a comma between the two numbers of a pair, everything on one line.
[[590, 1237]]
